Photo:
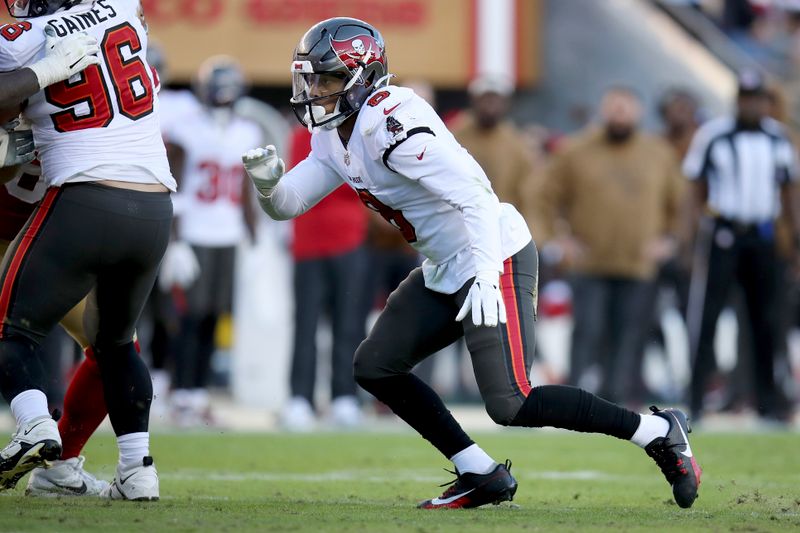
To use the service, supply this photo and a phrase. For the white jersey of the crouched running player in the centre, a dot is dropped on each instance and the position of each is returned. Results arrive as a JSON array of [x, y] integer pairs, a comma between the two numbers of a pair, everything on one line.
[[405, 164]]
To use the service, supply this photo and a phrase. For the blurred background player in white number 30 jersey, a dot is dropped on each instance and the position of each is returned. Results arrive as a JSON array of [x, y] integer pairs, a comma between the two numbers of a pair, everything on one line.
[[214, 217]]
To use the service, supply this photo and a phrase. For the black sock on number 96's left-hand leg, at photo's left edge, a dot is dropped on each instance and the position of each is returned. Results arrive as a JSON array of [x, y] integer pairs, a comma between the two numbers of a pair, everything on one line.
[[21, 367]]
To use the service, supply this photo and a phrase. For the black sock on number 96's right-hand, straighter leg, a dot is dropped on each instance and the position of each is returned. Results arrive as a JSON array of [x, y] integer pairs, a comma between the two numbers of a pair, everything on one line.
[[127, 388]]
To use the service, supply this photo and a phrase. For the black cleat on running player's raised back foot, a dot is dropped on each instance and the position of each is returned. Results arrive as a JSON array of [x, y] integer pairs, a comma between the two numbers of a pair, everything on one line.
[[674, 456]]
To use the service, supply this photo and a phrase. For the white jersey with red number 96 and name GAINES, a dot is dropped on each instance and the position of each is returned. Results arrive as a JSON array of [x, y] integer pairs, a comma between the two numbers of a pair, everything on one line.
[[103, 122]]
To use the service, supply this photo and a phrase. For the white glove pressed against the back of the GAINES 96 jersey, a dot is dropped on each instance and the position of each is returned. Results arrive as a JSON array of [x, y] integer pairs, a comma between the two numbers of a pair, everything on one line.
[[65, 57]]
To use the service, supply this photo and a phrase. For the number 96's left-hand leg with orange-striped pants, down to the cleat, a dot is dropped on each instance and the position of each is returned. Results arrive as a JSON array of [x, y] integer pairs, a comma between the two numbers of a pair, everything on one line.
[[43, 276]]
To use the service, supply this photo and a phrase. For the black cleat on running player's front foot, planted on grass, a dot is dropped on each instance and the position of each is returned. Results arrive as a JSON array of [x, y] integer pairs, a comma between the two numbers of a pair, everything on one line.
[[473, 490]]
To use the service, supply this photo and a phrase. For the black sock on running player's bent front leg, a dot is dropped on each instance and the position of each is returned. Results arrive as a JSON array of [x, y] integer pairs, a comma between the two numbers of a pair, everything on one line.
[[422, 409]]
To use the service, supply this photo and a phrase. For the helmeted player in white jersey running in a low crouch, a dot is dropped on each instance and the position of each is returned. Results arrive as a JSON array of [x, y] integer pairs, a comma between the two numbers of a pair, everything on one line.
[[479, 278]]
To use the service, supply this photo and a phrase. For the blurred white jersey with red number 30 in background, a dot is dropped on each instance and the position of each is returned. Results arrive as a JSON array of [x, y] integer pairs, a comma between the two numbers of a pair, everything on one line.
[[209, 201]]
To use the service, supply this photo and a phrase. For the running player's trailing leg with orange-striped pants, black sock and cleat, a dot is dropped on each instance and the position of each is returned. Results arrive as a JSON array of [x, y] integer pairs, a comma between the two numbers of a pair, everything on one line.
[[501, 359]]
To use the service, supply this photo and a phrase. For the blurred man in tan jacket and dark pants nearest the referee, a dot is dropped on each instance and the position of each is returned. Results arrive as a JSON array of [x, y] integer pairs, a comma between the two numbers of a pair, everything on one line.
[[607, 212]]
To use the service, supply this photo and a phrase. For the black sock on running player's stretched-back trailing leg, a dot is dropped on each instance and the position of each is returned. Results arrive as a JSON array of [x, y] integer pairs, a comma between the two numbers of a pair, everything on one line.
[[572, 408]]
